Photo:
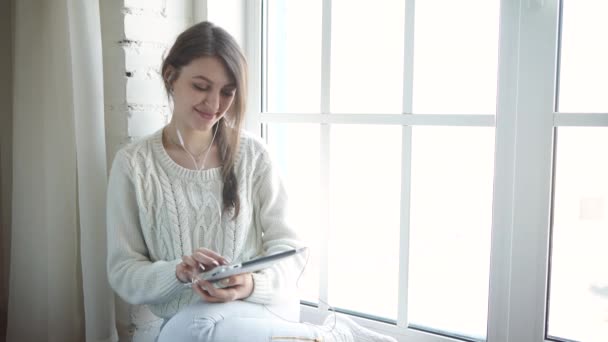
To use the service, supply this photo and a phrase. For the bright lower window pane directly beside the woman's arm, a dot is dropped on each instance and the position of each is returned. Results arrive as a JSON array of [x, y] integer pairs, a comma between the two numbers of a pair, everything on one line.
[[295, 148]]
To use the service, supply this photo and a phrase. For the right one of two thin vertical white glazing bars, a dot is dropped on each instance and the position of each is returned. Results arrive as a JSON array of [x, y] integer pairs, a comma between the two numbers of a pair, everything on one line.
[[406, 164]]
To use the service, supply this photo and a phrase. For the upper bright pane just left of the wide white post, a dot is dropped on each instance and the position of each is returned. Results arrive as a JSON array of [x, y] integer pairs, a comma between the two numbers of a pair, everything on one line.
[[455, 56]]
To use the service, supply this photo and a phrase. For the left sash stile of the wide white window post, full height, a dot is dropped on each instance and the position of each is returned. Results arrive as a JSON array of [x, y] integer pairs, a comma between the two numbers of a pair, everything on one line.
[[504, 172]]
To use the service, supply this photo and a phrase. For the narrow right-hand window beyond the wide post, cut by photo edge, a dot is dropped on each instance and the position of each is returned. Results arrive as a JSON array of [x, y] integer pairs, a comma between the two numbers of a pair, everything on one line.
[[578, 284]]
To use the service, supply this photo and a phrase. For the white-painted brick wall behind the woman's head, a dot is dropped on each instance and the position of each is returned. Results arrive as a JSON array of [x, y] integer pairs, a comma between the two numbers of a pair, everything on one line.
[[136, 34]]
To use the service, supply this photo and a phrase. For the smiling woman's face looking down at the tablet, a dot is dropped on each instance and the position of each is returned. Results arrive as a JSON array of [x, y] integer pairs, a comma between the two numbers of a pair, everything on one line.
[[202, 93]]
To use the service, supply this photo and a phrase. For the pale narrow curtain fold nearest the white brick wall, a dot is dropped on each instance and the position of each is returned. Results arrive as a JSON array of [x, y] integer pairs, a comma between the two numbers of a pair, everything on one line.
[[86, 49]]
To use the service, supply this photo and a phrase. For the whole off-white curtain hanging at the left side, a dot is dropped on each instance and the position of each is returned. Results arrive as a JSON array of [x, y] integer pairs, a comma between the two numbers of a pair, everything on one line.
[[58, 284]]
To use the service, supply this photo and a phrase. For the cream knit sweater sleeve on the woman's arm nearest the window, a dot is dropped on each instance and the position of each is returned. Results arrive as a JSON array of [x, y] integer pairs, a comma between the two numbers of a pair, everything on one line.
[[278, 282]]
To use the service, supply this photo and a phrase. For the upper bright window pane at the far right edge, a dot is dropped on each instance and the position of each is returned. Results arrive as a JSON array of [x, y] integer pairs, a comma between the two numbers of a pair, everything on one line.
[[584, 57]]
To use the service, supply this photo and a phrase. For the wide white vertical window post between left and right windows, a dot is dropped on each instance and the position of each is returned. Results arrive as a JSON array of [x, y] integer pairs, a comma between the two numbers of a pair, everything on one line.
[[520, 243]]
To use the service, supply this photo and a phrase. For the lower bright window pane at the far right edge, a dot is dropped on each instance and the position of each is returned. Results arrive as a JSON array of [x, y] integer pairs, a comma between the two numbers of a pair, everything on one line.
[[578, 297]]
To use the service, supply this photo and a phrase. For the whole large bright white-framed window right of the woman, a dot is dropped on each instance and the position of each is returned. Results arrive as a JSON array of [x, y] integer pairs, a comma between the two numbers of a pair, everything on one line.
[[427, 163]]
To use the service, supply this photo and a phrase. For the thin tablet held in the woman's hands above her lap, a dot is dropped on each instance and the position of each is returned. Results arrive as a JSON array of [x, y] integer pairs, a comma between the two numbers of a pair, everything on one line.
[[254, 265]]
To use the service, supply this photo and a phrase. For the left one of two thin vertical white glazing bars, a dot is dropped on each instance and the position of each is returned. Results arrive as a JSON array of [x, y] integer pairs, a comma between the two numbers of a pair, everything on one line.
[[324, 153]]
